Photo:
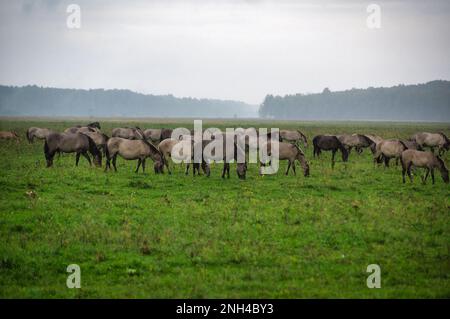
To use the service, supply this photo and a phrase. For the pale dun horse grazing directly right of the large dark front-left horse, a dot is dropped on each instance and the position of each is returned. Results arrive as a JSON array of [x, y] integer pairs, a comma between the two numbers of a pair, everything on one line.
[[132, 150]]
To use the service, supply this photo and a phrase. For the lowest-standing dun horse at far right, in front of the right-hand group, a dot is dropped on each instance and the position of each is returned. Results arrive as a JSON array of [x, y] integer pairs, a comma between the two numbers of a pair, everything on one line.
[[423, 159]]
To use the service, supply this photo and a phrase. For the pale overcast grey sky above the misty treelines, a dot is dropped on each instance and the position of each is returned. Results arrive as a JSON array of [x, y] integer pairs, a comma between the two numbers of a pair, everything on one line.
[[238, 50]]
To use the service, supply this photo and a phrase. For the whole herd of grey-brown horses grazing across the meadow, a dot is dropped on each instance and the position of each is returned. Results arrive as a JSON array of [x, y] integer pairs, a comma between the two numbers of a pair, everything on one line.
[[158, 145]]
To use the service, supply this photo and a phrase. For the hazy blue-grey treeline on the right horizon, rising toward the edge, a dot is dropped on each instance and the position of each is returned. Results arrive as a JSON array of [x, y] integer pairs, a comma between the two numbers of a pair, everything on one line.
[[422, 102]]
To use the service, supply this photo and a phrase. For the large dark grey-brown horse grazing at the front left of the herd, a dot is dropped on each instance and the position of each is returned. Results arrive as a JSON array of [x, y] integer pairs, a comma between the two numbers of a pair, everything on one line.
[[71, 143]]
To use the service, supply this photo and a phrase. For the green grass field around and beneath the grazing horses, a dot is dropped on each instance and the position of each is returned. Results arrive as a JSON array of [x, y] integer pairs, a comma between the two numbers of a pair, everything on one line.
[[149, 236]]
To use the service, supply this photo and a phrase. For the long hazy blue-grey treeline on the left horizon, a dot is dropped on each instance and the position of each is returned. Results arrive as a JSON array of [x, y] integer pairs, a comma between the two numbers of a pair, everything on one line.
[[39, 101]]
